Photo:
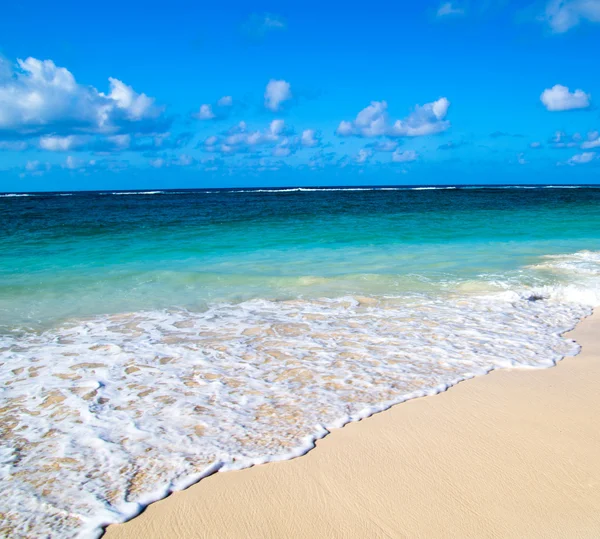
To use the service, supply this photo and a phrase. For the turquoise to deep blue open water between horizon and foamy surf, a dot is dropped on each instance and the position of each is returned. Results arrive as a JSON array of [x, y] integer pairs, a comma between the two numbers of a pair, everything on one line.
[[89, 254]]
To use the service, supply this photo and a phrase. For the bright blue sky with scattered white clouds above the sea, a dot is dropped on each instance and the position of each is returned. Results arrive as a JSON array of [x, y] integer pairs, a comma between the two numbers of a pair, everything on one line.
[[156, 95]]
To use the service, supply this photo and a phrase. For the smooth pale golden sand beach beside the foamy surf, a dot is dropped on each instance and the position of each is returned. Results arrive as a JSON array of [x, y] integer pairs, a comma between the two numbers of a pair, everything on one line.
[[512, 454]]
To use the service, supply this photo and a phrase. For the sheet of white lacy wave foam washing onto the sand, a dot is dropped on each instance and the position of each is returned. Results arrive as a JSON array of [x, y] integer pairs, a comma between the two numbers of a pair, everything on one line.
[[102, 416]]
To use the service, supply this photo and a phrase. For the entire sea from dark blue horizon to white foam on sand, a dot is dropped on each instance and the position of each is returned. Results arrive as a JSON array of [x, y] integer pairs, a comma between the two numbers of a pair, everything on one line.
[[148, 339]]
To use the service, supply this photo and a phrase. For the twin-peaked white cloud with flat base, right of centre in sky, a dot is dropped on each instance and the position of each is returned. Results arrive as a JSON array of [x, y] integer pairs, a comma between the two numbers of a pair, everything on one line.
[[373, 121]]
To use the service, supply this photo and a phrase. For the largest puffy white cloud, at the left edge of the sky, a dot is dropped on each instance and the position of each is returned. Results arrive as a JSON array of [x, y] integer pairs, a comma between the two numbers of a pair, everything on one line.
[[40, 99]]
